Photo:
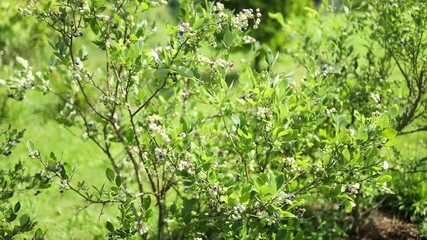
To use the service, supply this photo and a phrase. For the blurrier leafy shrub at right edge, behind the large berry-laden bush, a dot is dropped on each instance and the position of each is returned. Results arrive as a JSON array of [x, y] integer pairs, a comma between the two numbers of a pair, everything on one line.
[[376, 62]]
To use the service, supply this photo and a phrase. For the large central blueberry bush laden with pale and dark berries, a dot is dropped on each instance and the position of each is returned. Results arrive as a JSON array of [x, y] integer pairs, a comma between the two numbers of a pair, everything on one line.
[[191, 155]]
